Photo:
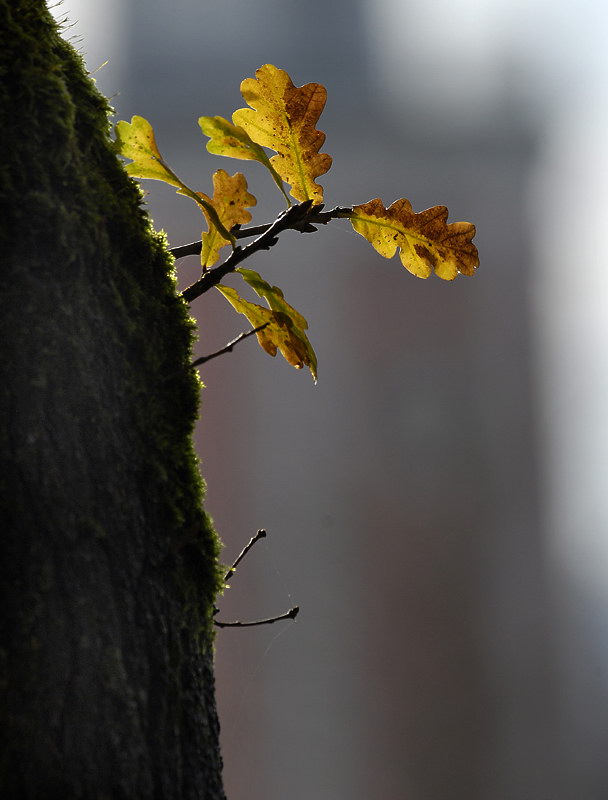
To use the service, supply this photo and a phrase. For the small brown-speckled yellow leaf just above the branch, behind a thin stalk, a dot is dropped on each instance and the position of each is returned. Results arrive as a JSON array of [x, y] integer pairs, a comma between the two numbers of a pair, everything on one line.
[[230, 201]]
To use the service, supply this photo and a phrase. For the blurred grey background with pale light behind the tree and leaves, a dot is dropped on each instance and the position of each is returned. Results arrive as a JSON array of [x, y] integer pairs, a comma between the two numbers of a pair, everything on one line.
[[438, 504]]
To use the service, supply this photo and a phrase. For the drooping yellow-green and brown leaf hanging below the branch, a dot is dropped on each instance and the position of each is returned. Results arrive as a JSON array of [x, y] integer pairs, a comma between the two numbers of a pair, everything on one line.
[[284, 331]]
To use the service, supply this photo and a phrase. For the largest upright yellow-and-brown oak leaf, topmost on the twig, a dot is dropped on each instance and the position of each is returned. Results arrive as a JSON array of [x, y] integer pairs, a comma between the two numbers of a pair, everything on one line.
[[283, 117]]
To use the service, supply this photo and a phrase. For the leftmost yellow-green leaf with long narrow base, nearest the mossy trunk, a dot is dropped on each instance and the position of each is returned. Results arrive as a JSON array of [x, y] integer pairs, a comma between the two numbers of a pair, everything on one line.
[[136, 140]]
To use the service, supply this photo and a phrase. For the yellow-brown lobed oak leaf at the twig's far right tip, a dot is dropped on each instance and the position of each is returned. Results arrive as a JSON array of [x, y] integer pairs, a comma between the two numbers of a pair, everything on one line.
[[426, 242]]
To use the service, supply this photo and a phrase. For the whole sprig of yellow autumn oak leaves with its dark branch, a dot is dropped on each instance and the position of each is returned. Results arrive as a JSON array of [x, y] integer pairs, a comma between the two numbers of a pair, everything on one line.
[[282, 118]]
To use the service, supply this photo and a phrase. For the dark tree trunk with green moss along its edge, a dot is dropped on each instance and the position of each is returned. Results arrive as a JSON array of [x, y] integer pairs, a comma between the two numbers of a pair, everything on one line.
[[108, 565]]
